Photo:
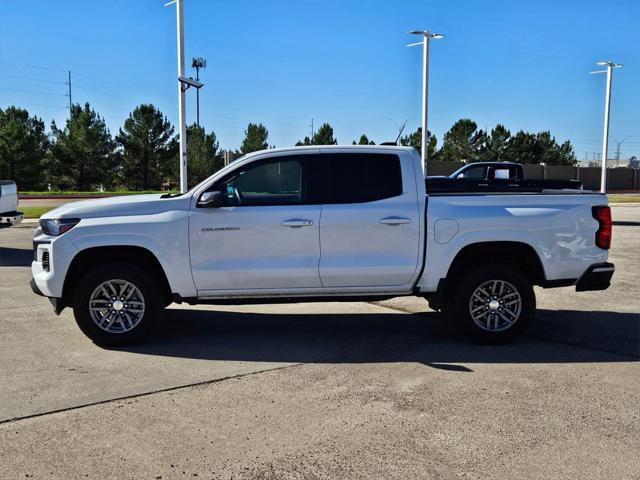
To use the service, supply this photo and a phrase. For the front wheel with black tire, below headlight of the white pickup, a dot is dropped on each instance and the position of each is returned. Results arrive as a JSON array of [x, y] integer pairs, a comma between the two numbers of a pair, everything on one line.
[[117, 304]]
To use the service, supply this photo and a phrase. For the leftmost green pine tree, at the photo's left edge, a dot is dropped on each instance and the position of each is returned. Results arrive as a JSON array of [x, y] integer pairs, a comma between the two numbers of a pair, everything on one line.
[[23, 148]]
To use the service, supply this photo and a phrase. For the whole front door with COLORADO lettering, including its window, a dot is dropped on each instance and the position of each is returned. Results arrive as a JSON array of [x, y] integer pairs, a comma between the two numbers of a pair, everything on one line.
[[264, 236]]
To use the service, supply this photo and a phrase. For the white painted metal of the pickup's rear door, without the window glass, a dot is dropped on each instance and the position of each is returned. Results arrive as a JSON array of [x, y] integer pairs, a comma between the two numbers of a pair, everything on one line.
[[360, 251]]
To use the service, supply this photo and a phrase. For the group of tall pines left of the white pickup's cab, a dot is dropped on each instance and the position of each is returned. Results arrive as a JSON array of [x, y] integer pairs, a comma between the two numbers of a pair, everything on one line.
[[83, 154]]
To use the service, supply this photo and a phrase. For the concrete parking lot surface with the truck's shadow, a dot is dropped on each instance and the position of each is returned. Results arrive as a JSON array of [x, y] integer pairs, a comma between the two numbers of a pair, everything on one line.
[[356, 390]]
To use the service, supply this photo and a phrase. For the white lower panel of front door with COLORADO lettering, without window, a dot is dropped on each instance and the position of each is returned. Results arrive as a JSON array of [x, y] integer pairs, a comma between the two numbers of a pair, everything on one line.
[[247, 248]]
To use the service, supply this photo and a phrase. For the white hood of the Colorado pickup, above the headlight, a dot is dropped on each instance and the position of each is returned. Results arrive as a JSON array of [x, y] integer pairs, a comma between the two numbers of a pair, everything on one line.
[[119, 206]]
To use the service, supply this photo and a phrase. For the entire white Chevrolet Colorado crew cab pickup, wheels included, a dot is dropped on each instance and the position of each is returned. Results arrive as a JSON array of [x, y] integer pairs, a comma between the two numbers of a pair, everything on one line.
[[319, 224]]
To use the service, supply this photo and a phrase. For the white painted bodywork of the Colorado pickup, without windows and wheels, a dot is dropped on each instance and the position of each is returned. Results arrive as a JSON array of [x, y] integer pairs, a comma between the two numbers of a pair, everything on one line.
[[346, 250]]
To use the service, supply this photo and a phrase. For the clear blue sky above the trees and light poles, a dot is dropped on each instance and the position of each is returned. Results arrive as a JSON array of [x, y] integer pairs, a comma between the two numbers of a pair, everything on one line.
[[521, 63]]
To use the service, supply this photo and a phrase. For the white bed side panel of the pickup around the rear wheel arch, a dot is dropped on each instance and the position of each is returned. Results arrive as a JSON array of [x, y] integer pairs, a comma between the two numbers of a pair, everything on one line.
[[560, 228]]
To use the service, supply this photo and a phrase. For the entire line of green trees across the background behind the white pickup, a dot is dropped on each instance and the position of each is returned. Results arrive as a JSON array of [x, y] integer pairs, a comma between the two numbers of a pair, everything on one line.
[[83, 154]]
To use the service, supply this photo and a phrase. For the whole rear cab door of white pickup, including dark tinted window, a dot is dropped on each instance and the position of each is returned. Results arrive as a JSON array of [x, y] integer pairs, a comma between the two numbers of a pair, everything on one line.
[[370, 226]]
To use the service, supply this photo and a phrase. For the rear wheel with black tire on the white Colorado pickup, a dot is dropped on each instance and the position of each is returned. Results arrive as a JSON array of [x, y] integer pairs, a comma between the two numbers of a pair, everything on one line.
[[493, 322]]
